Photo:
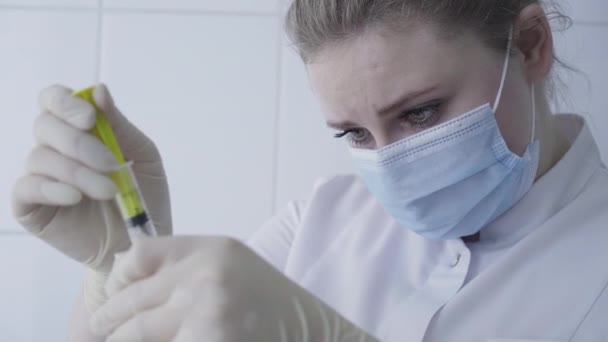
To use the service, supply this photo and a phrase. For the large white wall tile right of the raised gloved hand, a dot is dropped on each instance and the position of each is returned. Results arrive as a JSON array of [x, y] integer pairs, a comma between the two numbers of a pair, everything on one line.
[[204, 88]]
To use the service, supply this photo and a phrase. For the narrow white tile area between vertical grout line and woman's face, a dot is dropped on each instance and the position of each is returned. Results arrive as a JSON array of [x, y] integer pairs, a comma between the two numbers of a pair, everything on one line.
[[306, 149]]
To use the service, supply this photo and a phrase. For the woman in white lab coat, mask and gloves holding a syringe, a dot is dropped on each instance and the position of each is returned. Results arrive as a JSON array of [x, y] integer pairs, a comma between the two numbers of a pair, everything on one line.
[[476, 215]]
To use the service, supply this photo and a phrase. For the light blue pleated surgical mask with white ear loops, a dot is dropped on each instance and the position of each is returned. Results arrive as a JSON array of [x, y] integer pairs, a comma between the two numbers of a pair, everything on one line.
[[451, 180]]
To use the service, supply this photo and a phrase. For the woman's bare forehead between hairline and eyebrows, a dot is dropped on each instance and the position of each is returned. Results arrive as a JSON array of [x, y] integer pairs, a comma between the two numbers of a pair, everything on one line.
[[382, 63]]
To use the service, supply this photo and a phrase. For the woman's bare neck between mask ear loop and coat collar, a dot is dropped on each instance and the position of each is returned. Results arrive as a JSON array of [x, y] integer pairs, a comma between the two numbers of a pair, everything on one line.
[[553, 142]]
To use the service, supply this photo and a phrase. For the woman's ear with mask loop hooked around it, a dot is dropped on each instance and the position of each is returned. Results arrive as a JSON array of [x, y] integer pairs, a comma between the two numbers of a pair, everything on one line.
[[535, 42]]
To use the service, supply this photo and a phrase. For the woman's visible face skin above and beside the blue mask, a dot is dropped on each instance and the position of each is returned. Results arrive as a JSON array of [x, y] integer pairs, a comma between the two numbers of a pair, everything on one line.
[[383, 86]]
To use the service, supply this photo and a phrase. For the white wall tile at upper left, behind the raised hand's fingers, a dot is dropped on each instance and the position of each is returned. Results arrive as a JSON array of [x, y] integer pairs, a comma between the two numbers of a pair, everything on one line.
[[37, 48]]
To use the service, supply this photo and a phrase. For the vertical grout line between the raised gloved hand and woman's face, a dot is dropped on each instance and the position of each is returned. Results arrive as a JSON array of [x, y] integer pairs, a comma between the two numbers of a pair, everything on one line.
[[278, 111]]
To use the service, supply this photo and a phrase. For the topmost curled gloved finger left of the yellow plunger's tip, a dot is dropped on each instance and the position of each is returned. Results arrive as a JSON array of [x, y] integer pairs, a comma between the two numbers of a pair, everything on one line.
[[59, 101]]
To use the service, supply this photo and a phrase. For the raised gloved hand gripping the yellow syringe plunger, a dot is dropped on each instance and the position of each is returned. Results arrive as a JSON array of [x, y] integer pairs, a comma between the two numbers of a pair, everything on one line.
[[66, 199]]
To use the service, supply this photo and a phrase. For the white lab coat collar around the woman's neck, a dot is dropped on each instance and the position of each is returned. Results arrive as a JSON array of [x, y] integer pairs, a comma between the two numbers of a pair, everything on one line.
[[554, 190]]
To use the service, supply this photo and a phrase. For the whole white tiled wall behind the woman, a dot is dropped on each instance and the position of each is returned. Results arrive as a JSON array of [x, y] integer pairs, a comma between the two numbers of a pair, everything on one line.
[[227, 102]]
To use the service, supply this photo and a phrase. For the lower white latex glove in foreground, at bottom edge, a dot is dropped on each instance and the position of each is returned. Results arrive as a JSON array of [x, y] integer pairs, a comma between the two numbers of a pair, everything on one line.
[[188, 289]]
